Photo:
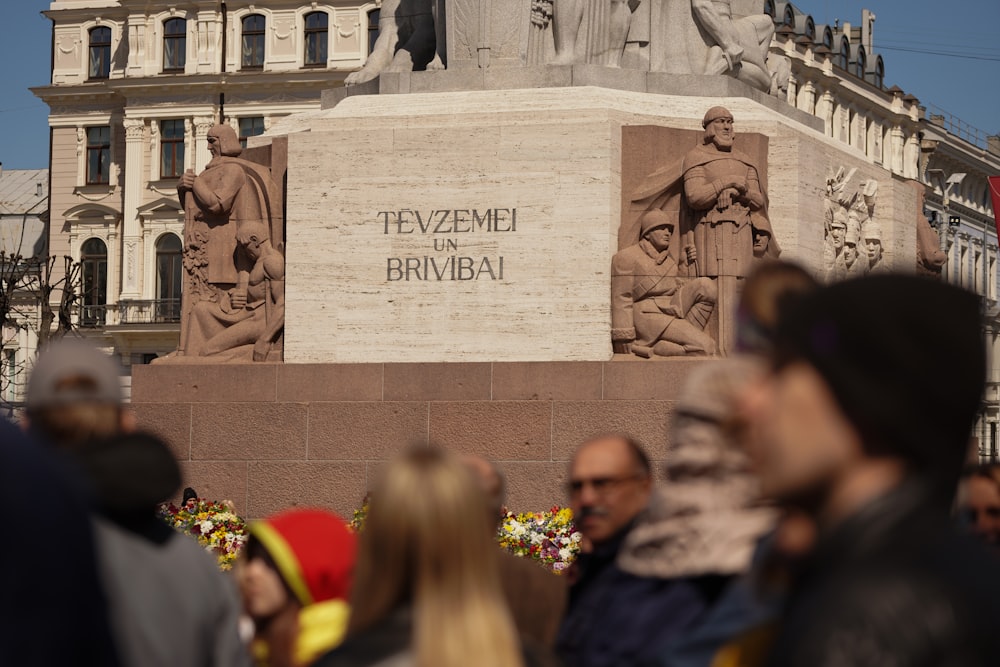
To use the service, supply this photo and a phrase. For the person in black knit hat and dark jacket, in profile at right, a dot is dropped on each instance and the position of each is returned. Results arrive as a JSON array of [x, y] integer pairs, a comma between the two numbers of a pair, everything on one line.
[[851, 429]]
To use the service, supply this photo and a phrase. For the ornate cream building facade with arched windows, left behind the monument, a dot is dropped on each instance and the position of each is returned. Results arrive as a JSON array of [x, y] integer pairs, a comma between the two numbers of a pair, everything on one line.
[[136, 86]]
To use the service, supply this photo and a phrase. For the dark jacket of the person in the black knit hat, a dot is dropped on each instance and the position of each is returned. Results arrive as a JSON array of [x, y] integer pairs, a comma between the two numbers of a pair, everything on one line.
[[893, 585]]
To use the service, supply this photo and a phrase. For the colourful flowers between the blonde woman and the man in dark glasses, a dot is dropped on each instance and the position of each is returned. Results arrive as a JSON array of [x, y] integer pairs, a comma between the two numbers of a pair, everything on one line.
[[547, 537]]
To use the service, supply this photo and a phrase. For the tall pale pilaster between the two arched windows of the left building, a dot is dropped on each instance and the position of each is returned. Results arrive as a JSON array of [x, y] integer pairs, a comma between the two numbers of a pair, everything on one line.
[[131, 232]]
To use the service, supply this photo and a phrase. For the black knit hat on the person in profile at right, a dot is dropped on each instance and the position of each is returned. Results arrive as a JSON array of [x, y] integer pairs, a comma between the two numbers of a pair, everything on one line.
[[905, 357]]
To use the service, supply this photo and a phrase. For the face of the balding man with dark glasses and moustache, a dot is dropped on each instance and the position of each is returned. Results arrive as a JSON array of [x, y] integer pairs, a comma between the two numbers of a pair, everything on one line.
[[606, 488]]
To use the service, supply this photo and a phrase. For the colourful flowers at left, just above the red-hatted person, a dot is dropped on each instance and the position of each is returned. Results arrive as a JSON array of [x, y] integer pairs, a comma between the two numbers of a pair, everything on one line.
[[215, 525]]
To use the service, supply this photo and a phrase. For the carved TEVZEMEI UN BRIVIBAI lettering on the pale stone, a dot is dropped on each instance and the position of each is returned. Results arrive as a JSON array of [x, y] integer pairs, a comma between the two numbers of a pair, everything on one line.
[[450, 265]]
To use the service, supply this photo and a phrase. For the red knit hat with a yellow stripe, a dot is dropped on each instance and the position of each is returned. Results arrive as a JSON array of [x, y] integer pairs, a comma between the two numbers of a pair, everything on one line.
[[314, 552]]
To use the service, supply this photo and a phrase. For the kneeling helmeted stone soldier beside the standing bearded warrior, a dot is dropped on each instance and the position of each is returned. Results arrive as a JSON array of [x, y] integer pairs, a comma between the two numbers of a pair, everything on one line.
[[653, 309]]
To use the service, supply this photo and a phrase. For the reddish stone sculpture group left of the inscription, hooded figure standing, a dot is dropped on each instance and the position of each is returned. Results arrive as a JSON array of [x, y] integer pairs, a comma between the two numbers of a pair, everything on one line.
[[233, 297]]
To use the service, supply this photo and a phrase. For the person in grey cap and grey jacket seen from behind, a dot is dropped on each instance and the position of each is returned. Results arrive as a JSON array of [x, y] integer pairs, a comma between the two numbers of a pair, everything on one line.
[[168, 602]]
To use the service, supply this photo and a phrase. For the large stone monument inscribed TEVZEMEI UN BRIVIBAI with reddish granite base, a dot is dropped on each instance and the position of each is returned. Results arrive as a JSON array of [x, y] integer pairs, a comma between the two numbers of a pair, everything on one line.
[[505, 255]]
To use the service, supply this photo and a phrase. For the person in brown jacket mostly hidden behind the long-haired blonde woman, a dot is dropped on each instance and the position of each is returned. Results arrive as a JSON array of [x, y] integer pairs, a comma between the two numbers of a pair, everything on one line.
[[537, 616]]
